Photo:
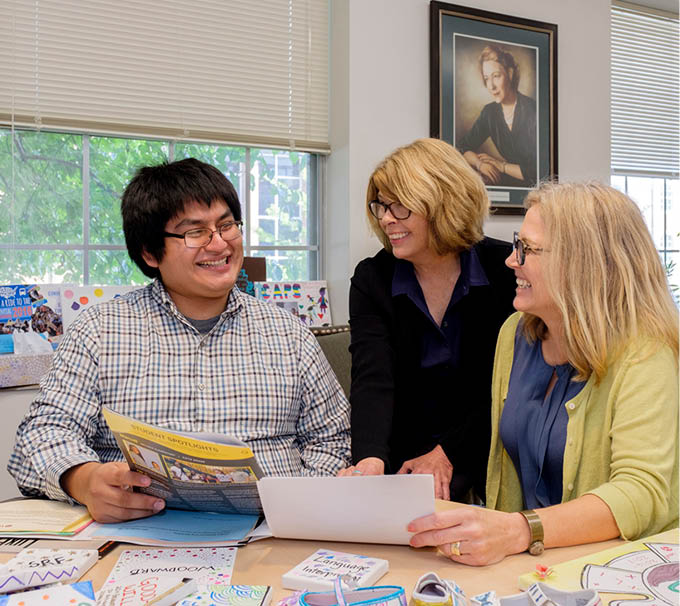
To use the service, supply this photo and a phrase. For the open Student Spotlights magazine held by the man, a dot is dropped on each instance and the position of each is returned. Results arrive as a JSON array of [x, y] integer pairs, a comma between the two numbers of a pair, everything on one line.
[[195, 471]]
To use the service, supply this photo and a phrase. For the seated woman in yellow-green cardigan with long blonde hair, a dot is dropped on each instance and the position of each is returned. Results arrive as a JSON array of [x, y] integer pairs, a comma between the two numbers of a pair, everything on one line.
[[584, 440]]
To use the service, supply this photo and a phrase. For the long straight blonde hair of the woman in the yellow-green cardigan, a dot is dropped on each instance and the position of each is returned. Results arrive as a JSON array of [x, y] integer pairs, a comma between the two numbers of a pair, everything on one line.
[[604, 274]]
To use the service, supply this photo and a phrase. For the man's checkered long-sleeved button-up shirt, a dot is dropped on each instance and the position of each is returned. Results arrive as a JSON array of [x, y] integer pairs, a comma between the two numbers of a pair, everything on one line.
[[259, 375]]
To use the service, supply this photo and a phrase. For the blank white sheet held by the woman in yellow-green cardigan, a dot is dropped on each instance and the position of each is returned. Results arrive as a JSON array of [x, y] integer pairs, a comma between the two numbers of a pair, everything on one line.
[[364, 509]]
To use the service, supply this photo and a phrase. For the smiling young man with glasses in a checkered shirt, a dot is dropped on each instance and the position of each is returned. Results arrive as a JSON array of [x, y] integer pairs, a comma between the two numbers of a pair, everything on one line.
[[189, 352]]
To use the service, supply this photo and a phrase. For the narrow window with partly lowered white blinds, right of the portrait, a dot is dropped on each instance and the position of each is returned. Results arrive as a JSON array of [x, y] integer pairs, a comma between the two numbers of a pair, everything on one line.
[[645, 120]]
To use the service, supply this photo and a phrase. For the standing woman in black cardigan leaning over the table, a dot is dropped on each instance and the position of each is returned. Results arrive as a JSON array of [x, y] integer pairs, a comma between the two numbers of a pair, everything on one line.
[[425, 313]]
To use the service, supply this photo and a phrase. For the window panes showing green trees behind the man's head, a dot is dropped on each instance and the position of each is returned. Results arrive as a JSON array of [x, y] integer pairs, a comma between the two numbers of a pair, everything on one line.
[[60, 204]]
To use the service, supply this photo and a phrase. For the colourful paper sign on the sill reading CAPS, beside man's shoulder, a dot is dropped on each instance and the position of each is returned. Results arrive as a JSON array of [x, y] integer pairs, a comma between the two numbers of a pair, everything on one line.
[[308, 301]]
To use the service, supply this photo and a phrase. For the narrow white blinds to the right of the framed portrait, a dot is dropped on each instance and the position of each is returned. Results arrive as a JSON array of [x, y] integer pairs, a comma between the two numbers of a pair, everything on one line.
[[645, 112]]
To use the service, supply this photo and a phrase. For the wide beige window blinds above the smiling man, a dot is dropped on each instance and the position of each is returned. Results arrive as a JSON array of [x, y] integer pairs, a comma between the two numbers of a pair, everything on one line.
[[233, 71]]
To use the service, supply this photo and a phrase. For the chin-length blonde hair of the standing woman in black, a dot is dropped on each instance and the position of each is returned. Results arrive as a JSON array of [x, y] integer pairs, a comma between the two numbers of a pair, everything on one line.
[[431, 178]]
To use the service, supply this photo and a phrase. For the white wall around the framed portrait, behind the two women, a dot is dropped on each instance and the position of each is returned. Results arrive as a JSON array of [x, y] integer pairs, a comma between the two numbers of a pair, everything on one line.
[[380, 94]]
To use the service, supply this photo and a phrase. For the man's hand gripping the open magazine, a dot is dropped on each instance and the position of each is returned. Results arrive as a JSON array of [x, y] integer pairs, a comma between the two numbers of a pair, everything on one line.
[[106, 490]]
